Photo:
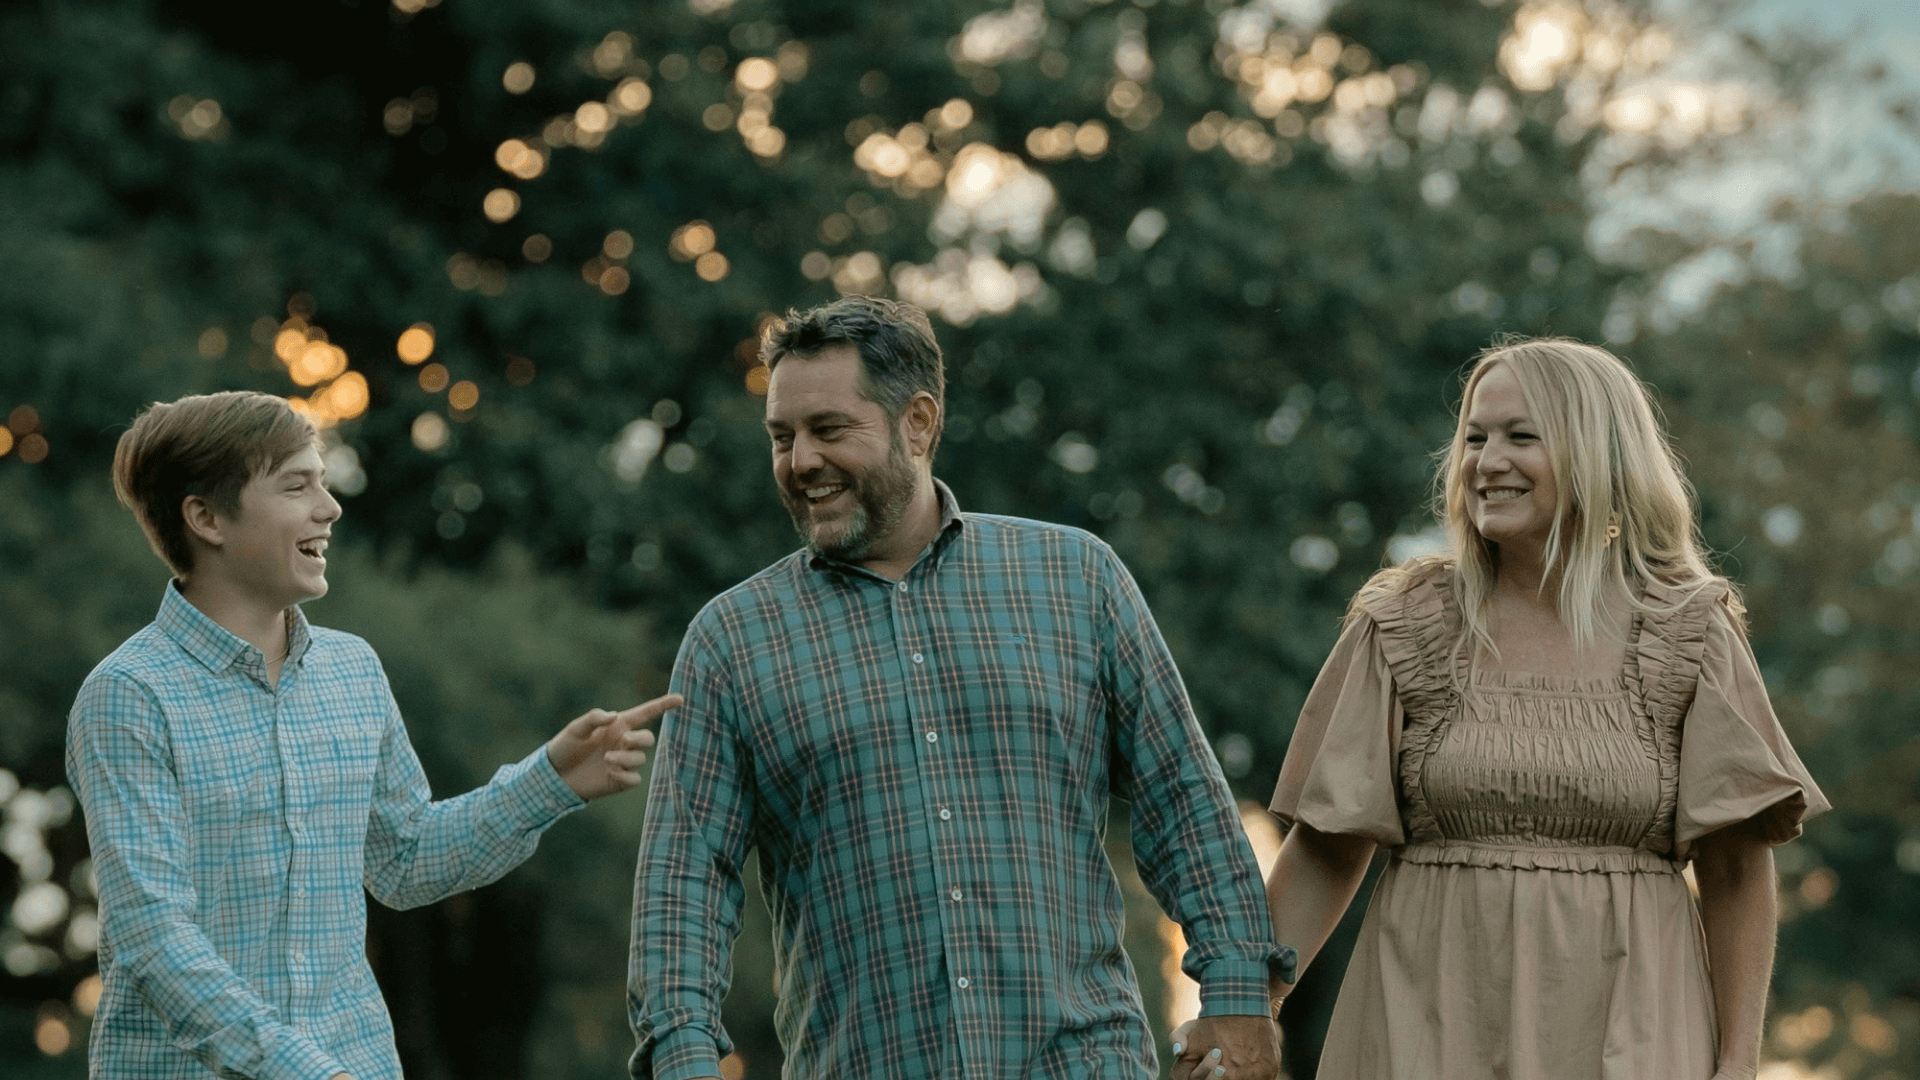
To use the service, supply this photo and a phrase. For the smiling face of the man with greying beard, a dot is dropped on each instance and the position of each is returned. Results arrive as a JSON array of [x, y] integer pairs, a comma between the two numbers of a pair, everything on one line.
[[838, 462]]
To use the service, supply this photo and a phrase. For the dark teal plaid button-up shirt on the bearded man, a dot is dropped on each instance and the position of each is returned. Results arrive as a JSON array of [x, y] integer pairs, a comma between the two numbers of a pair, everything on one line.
[[924, 768]]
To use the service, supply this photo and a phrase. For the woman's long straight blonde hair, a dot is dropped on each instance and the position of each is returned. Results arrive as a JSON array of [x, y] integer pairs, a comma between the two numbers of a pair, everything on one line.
[[1614, 466]]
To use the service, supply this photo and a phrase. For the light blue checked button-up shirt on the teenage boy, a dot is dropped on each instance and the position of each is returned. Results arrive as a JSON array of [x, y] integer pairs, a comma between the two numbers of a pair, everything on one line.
[[235, 833]]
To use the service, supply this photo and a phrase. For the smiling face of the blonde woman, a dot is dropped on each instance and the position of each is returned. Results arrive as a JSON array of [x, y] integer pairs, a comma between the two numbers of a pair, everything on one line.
[[1510, 481]]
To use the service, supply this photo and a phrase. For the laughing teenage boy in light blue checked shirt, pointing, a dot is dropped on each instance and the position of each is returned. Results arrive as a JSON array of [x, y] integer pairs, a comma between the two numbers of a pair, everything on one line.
[[247, 777]]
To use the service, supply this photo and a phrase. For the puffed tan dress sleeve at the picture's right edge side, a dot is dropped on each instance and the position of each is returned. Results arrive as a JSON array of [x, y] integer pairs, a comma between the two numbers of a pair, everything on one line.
[[1737, 762]]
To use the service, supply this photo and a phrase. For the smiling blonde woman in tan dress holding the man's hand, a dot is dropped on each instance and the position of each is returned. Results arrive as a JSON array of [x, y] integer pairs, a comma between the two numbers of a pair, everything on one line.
[[1545, 727]]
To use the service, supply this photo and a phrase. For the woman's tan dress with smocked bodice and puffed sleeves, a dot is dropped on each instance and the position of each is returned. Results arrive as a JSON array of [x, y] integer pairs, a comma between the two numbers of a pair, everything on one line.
[[1533, 921]]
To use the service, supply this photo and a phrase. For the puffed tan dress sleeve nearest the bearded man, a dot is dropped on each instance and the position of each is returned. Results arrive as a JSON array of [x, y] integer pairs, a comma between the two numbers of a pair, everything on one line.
[[1339, 772]]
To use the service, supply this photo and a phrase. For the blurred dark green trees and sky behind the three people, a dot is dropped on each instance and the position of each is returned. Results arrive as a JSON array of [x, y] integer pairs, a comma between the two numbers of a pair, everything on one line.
[[1207, 274]]
